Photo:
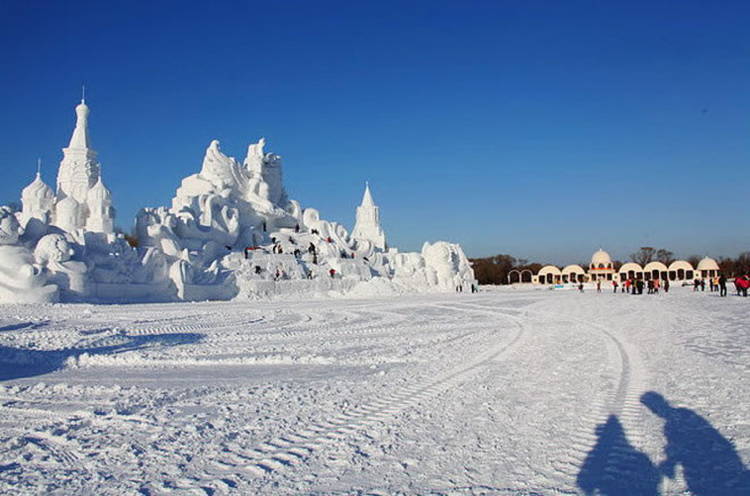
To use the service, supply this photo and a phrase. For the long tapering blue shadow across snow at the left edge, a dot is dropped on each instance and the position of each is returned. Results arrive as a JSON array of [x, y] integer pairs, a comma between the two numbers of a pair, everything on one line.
[[19, 363]]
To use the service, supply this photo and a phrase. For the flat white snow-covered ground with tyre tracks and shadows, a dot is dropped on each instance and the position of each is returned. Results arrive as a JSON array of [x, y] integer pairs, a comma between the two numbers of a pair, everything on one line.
[[504, 392]]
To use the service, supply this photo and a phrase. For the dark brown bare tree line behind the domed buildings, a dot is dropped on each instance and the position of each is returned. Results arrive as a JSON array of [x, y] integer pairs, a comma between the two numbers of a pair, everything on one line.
[[497, 268]]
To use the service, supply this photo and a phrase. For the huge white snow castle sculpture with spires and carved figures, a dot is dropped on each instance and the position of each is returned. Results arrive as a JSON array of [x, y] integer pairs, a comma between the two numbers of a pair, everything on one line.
[[231, 231]]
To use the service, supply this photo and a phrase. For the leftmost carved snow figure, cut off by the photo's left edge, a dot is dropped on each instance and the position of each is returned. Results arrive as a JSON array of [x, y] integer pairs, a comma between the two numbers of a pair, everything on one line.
[[21, 280]]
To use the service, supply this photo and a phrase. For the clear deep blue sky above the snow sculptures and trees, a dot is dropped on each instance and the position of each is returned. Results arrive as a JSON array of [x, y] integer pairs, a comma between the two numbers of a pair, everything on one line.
[[539, 129]]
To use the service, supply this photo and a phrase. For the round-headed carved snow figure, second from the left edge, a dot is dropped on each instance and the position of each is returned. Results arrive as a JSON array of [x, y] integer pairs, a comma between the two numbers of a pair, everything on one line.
[[54, 253]]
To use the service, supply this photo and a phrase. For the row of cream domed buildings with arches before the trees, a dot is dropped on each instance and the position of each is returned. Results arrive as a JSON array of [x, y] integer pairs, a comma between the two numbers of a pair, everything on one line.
[[601, 268]]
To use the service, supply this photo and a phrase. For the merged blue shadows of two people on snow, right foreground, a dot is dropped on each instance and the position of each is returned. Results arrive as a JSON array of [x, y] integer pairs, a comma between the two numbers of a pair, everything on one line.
[[710, 463]]
